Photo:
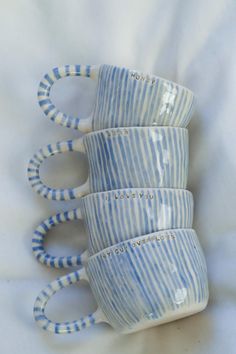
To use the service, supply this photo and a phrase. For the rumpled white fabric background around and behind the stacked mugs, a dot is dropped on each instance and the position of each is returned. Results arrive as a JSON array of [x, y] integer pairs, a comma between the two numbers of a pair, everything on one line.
[[191, 42]]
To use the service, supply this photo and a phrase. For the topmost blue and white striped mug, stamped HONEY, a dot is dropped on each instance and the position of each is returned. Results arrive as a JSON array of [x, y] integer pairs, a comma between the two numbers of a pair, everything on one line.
[[124, 98]]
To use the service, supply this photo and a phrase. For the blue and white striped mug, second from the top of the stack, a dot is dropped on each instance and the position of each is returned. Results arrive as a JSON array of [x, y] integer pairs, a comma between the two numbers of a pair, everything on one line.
[[118, 158]]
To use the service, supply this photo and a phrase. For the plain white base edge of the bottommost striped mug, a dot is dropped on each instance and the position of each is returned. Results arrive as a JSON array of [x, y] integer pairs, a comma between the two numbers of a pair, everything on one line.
[[170, 317]]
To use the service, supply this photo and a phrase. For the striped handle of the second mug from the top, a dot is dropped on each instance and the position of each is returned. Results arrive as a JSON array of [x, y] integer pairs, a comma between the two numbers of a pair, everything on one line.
[[51, 150]]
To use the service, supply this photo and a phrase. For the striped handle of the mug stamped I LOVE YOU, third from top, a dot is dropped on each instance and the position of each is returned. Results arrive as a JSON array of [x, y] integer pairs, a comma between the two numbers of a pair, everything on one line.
[[38, 241]]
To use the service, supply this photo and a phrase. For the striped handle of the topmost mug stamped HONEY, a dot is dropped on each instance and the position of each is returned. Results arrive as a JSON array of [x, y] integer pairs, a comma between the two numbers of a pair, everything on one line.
[[50, 110]]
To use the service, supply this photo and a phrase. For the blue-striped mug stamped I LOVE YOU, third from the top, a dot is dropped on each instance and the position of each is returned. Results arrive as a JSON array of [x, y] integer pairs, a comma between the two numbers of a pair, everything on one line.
[[116, 216]]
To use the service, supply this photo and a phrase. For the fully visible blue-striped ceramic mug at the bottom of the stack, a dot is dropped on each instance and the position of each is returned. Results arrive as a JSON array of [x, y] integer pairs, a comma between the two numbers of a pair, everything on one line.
[[138, 283]]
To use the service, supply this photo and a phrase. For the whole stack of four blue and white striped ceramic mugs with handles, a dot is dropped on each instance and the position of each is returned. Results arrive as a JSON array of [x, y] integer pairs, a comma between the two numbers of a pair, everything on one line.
[[144, 262]]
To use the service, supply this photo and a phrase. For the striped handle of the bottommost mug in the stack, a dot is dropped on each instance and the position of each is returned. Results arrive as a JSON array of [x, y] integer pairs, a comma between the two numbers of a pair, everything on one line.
[[63, 327]]
